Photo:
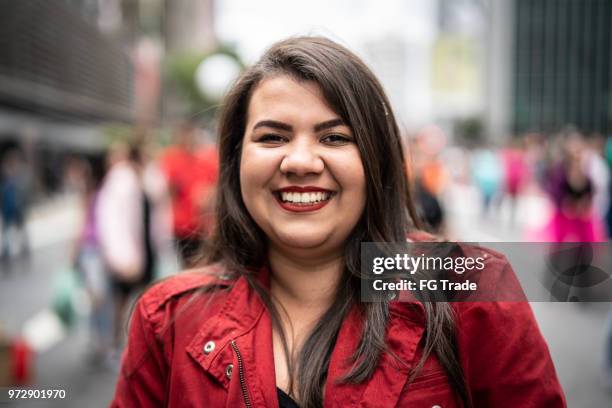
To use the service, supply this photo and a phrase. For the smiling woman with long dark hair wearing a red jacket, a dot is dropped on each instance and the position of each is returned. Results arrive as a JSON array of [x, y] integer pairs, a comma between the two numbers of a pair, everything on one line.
[[312, 166]]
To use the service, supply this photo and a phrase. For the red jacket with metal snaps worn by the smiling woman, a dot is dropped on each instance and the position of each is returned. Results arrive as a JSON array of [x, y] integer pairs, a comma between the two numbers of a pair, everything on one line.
[[192, 349]]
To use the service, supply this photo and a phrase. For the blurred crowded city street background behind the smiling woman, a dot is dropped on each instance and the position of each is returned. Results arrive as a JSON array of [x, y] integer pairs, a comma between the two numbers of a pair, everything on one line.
[[109, 153]]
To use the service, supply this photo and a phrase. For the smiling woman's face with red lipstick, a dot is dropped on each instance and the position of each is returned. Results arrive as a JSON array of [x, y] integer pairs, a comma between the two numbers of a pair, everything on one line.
[[301, 173]]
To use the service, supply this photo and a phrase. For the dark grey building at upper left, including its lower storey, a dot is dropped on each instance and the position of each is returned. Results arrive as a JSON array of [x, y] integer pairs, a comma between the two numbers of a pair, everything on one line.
[[60, 77]]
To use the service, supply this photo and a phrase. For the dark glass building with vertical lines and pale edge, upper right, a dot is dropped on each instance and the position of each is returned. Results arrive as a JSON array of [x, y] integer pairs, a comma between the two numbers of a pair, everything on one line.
[[558, 71]]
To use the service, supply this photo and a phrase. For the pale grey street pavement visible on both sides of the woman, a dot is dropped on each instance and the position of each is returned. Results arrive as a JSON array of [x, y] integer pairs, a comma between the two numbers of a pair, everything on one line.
[[574, 332]]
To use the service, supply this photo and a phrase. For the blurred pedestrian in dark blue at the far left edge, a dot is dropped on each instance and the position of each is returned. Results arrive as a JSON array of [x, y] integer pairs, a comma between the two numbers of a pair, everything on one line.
[[14, 203]]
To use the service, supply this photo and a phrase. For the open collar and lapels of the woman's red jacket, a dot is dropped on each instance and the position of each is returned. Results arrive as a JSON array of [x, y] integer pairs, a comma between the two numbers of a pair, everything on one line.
[[243, 311]]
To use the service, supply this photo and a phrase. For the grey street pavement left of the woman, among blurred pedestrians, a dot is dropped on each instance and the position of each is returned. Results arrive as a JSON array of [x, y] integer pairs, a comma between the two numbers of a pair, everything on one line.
[[26, 291]]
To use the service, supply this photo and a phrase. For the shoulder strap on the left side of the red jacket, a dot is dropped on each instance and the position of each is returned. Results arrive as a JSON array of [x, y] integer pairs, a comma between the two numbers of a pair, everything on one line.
[[184, 282]]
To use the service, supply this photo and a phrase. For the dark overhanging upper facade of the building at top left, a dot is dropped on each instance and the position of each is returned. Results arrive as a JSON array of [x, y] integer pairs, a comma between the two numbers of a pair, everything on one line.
[[54, 61]]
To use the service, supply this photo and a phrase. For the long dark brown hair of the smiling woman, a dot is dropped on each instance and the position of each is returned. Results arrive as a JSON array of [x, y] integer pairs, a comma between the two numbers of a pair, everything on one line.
[[354, 93]]
